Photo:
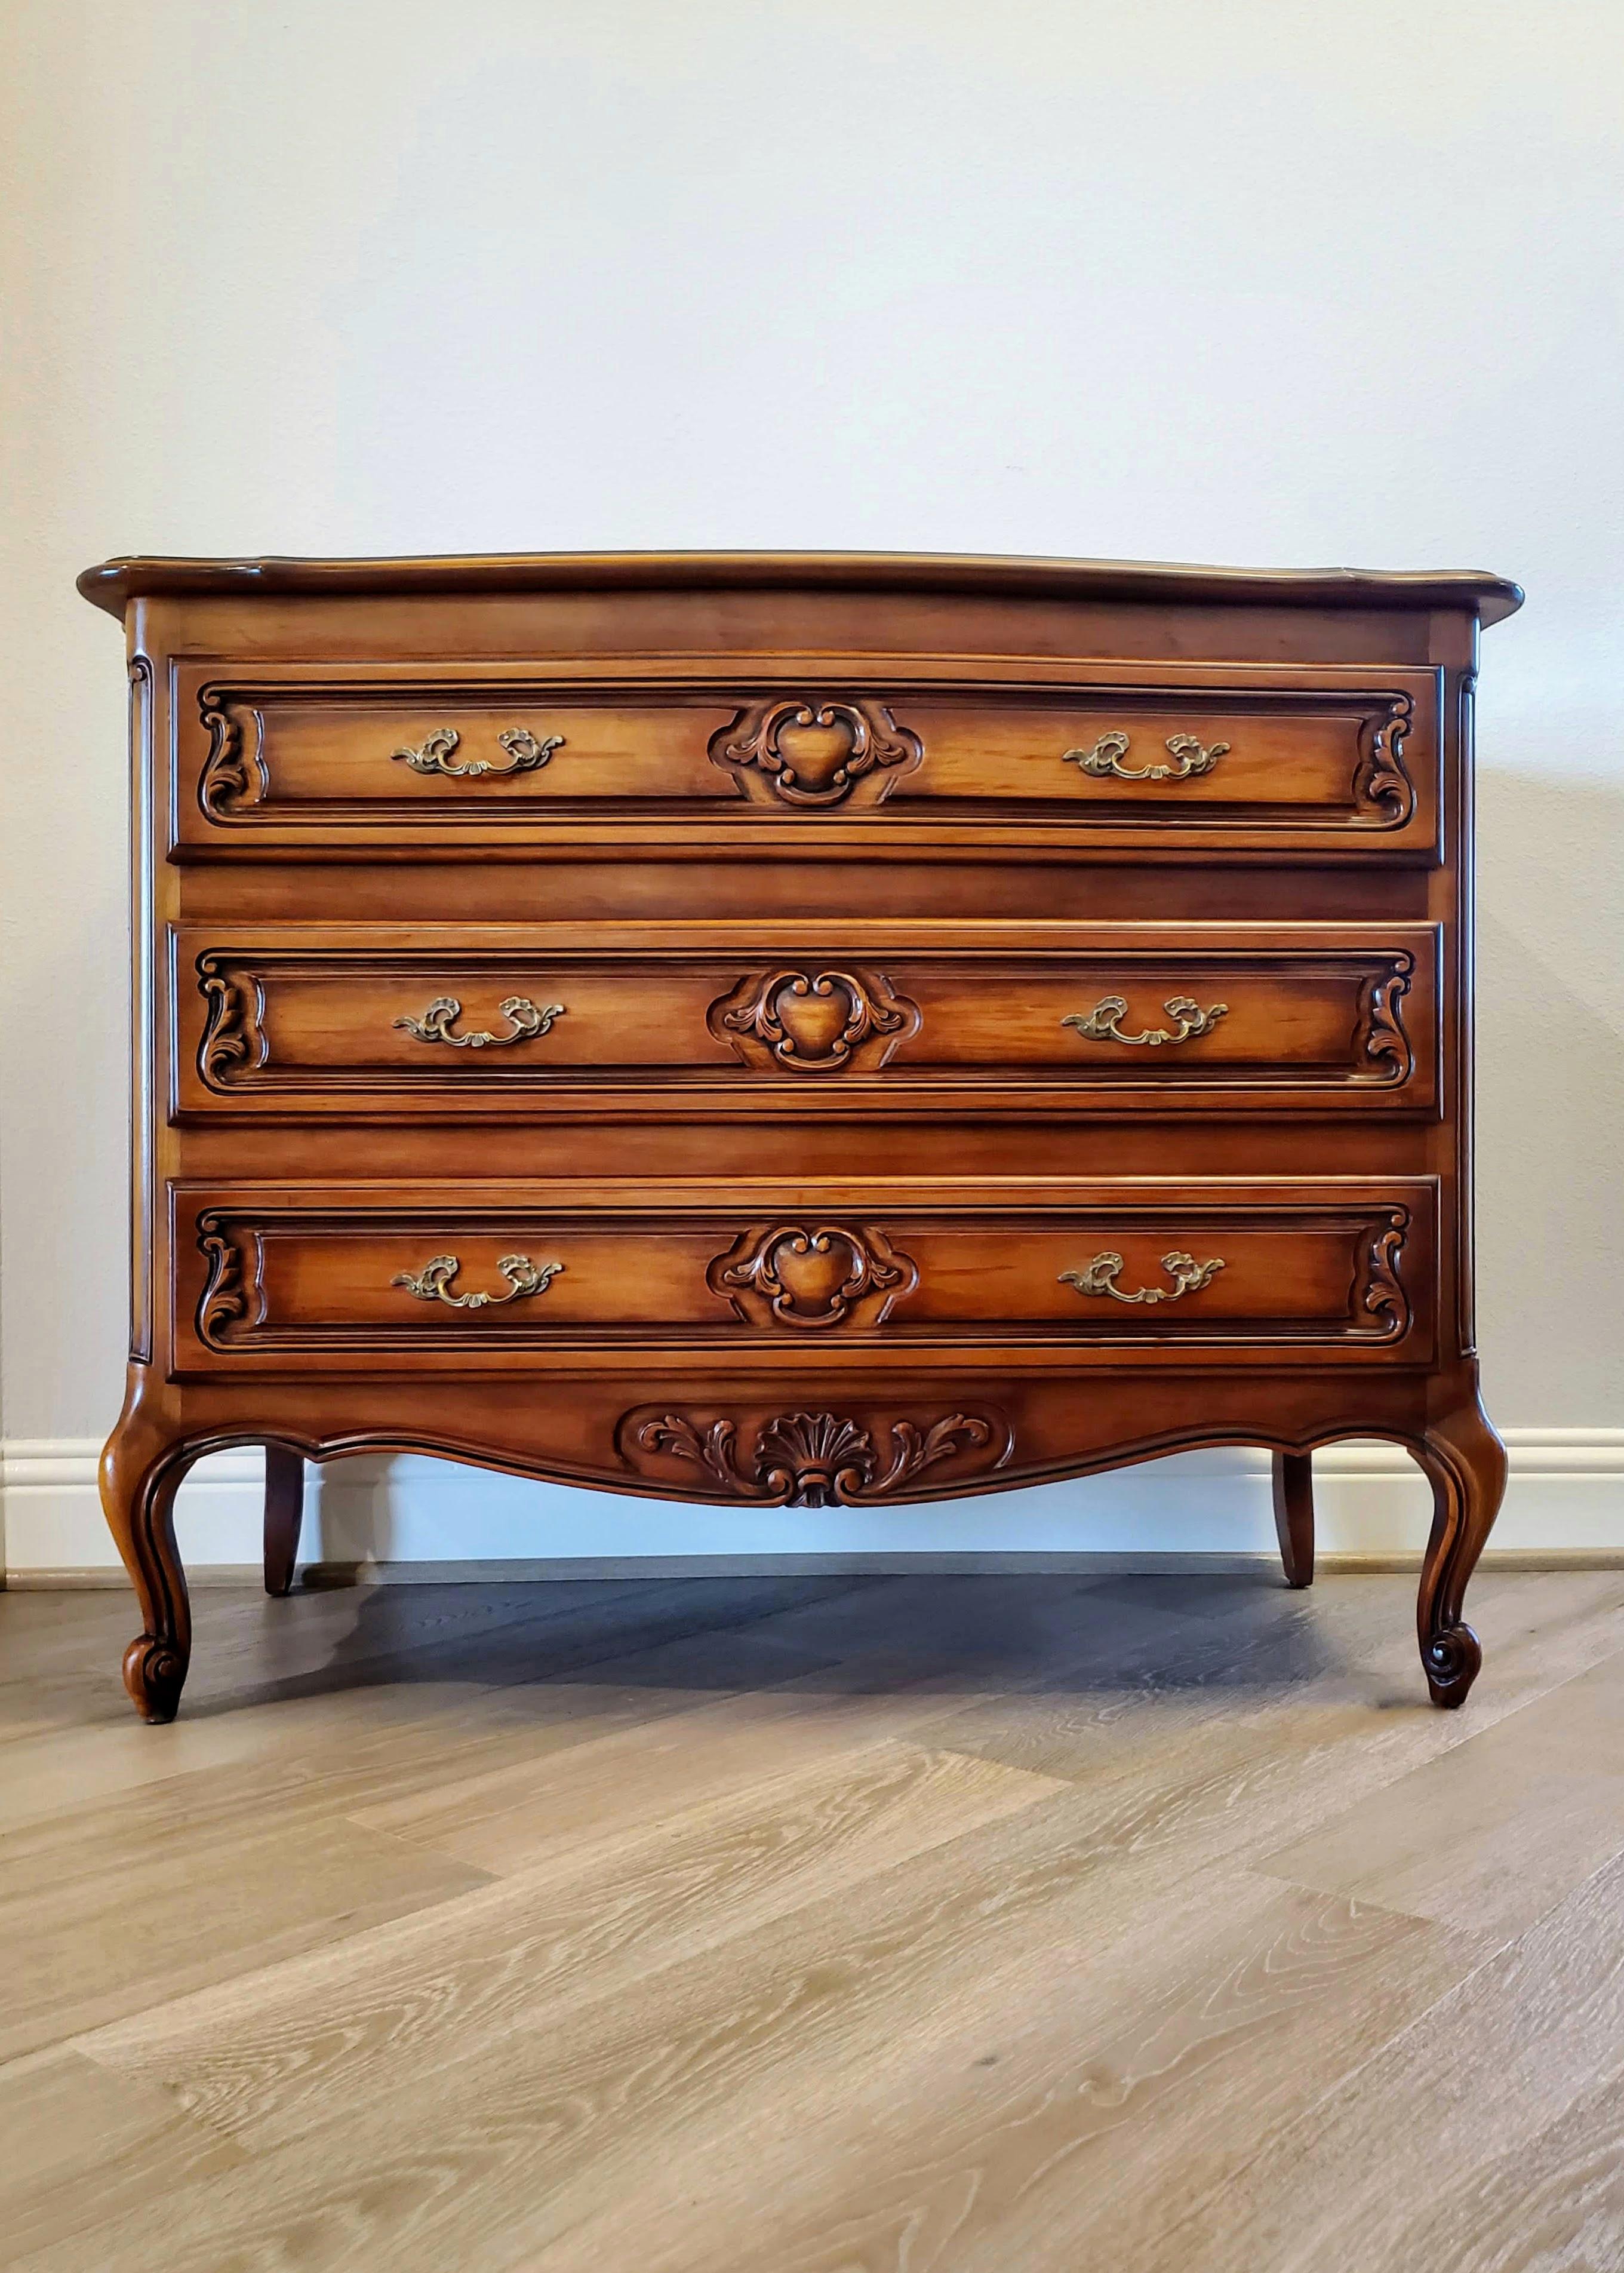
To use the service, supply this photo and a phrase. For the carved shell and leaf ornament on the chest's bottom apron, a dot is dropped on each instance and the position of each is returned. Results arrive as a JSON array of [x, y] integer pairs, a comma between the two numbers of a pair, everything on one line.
[[807, 1458]]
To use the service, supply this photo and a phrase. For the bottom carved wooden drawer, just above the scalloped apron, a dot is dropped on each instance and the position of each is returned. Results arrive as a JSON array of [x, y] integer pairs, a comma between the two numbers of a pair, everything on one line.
[[1200, 1269]]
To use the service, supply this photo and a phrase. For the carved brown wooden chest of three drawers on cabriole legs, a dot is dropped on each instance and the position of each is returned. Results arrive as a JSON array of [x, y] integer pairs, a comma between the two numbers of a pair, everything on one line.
[[798, 1031]]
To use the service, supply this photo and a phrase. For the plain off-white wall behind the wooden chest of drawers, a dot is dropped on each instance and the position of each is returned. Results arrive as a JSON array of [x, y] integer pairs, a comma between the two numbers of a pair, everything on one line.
[[1253, 283]]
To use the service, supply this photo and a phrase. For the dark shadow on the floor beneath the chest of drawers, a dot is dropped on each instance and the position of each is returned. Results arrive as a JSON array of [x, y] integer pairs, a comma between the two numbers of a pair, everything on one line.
[[537, 1640]]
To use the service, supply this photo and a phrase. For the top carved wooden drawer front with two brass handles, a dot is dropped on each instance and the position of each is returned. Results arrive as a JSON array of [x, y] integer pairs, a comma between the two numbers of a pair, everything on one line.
[[673, 753]]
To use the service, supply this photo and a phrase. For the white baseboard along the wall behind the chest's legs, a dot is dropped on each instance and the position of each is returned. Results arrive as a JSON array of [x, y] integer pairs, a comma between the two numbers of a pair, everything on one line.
[[1198, 1510]]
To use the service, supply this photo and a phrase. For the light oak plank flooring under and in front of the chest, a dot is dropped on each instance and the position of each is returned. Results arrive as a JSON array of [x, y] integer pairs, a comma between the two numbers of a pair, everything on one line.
[[817, 1926]]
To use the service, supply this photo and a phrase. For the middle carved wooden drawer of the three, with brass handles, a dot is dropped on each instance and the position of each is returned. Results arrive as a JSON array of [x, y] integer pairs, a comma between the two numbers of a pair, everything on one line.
[[894, 1017]]
